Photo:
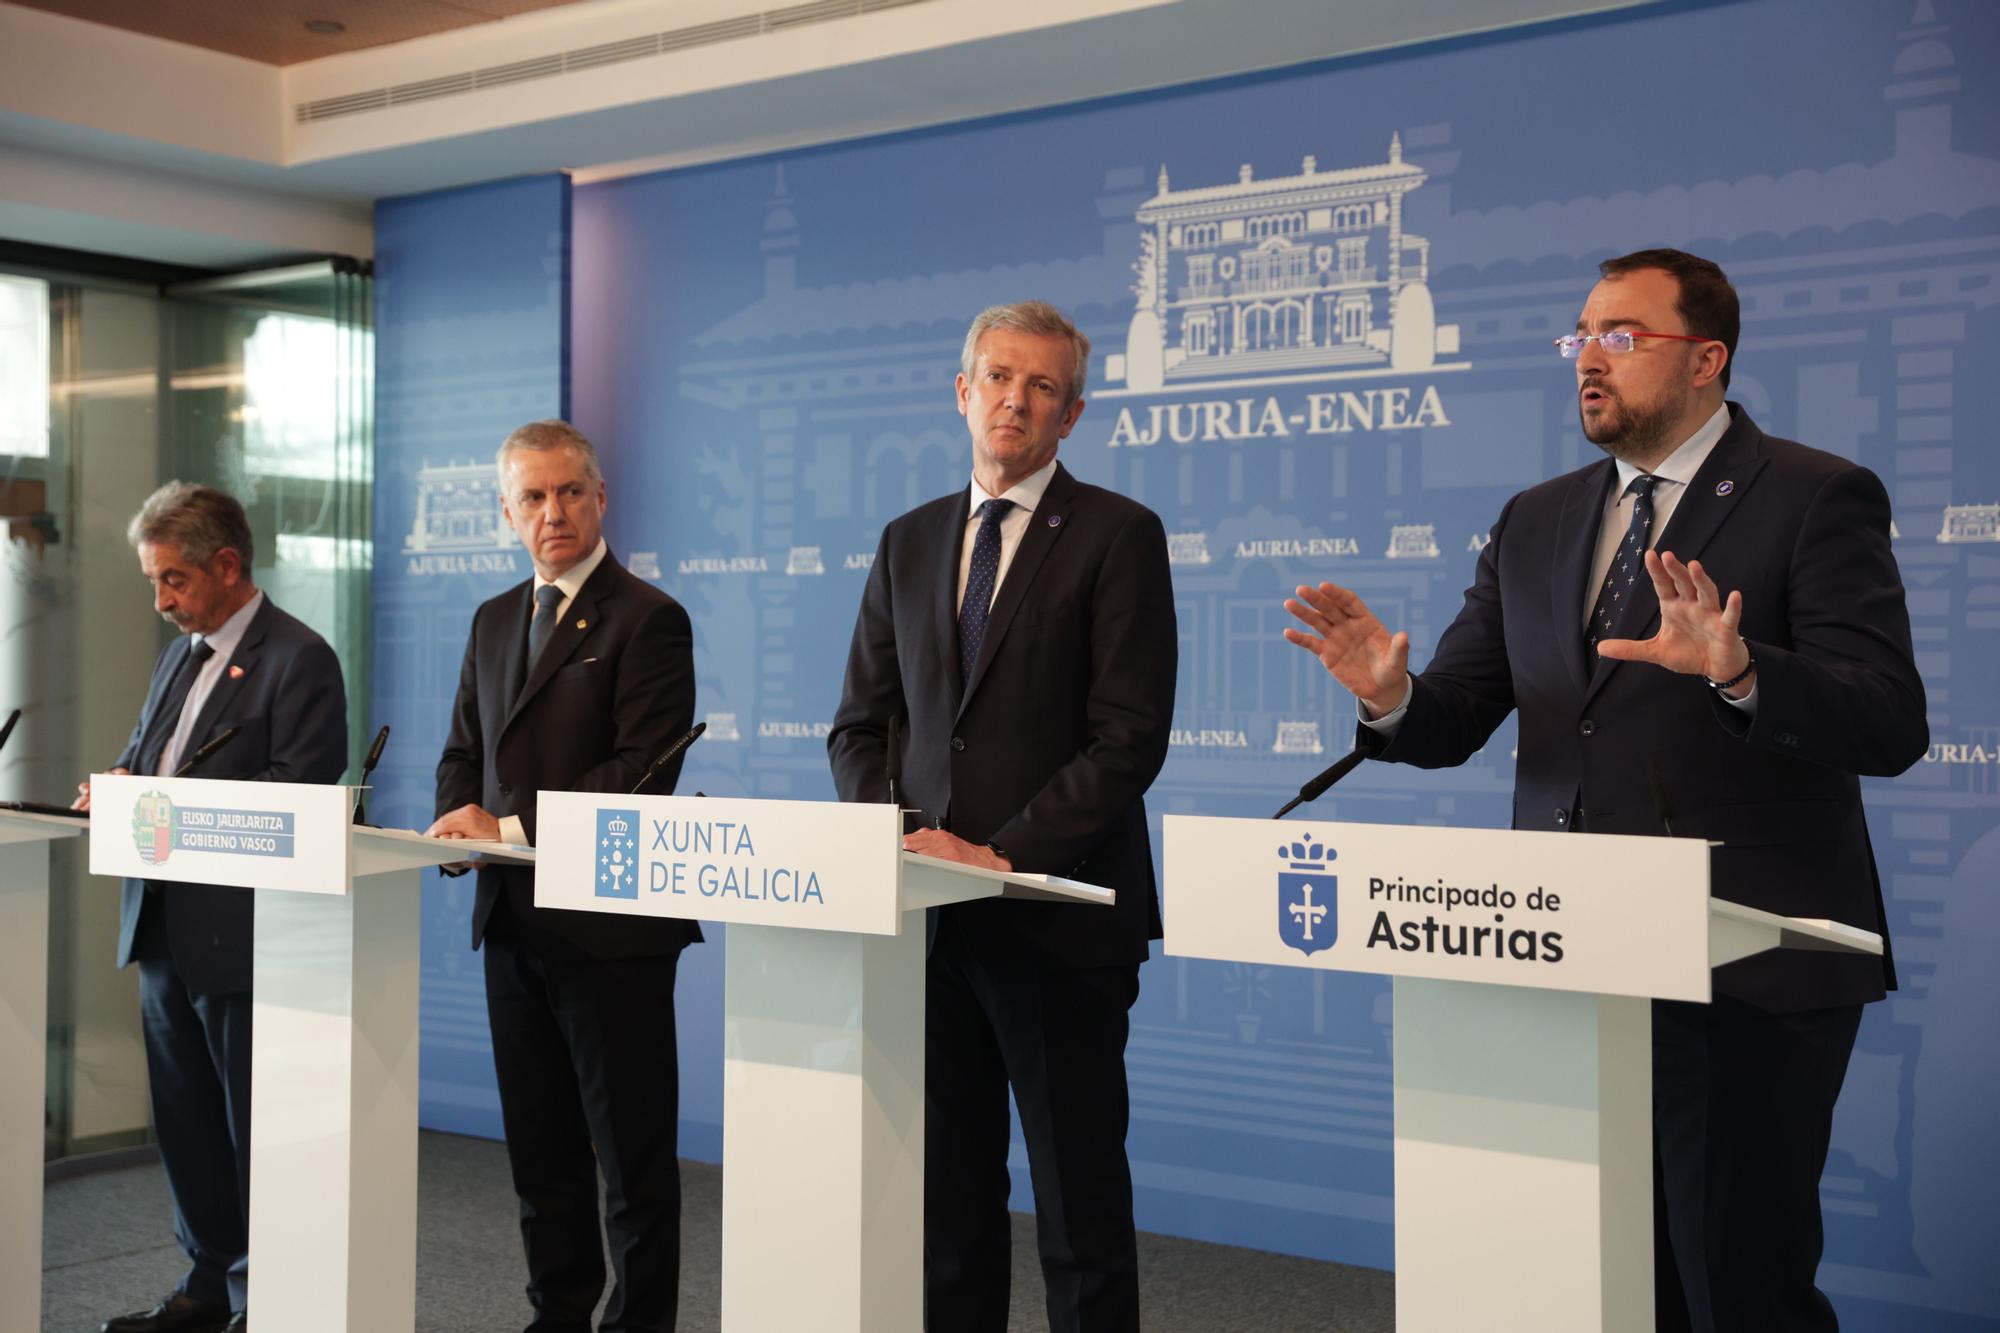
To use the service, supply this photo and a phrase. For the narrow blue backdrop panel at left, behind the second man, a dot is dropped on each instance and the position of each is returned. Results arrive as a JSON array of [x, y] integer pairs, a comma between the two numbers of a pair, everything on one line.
[[473, 321]]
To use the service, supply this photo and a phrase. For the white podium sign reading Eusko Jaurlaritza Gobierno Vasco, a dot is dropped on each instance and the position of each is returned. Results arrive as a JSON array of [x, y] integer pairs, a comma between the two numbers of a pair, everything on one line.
[[271, 836]]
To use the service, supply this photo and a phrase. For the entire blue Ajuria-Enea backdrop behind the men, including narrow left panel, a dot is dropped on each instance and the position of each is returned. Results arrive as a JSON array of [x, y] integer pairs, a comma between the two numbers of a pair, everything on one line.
[[1323, 305]]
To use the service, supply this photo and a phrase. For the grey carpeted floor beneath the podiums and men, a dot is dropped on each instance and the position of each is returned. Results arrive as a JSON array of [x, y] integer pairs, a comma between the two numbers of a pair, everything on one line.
[[109, 1248]]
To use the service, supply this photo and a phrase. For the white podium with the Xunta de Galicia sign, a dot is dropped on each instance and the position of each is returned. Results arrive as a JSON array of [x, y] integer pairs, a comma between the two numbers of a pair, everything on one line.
[[823, 1086]]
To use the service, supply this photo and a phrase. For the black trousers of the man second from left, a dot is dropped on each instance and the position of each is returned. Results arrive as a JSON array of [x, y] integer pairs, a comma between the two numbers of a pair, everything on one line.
[[589, 1078]]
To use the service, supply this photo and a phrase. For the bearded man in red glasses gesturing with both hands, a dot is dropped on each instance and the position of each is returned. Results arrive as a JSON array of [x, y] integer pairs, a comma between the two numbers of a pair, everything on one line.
[[1599, 615]]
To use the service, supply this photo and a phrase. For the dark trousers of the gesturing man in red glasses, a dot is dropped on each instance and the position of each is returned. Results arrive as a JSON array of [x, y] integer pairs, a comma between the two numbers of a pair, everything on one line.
[[1743, 1120]]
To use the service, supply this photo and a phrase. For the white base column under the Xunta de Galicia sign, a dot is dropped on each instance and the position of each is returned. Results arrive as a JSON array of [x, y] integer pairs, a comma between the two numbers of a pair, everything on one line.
[[823, 1130]]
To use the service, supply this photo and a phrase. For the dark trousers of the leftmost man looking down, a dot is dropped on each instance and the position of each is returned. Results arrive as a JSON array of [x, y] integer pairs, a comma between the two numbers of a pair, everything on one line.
[[199, 1074]]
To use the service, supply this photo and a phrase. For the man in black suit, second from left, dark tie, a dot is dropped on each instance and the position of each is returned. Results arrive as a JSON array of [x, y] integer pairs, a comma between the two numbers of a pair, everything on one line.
[[575, 682]]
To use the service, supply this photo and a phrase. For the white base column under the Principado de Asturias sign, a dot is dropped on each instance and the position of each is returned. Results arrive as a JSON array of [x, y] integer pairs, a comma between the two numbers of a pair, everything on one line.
[[1523, 1160]]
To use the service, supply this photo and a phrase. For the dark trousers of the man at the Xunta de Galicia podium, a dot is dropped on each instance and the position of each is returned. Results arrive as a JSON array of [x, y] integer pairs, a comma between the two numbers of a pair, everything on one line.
[[1057, 1036]]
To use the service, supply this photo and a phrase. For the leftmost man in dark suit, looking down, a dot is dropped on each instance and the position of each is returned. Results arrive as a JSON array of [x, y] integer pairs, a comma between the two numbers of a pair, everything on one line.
[[239, 663]]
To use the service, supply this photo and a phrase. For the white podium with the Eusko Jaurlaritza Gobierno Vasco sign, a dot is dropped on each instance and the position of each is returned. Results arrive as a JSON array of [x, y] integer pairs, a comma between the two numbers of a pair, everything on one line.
[[333, 1050]]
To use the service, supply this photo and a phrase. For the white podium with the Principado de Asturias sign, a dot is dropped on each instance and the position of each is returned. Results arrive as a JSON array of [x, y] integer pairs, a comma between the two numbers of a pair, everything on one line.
[[1523, 1052]]
